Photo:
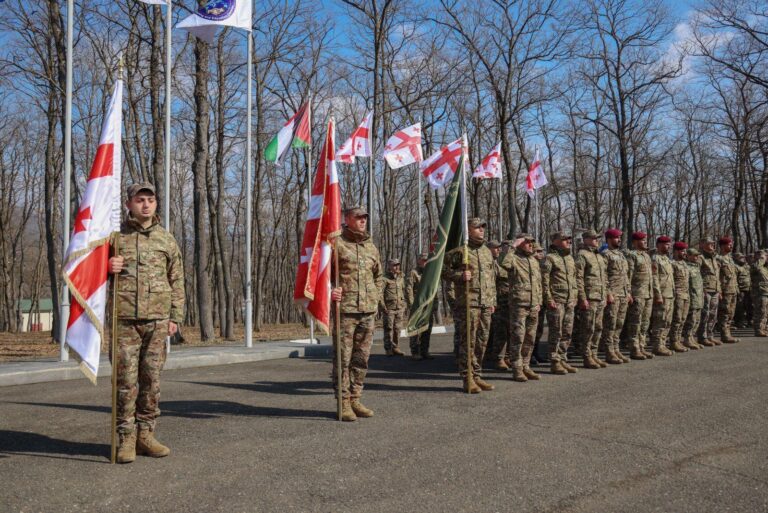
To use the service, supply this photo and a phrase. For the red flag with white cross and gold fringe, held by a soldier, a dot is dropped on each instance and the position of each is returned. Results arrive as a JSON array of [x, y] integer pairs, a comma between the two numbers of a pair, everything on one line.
[[313, 278]]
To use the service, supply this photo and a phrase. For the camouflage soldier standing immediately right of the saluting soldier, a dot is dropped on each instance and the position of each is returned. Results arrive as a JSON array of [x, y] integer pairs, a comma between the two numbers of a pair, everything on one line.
[[558, 281]]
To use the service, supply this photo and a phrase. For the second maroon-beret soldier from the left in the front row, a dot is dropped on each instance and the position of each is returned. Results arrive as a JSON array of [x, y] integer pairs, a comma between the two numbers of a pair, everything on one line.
[[641, 287]]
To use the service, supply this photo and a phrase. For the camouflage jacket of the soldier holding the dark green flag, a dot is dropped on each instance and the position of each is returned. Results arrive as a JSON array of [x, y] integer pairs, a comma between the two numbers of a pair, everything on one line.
[[482, 286]]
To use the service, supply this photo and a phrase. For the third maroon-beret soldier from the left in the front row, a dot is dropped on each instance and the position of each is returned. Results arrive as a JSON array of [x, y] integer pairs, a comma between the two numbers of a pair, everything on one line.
[[663, 296]]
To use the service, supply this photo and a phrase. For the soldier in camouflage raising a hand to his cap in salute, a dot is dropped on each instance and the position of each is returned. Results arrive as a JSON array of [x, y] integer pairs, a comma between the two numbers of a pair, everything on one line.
[[524, 274]]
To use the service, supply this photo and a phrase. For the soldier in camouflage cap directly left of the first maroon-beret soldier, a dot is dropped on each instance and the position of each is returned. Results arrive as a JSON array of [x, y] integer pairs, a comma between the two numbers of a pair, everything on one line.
[[591, 281]]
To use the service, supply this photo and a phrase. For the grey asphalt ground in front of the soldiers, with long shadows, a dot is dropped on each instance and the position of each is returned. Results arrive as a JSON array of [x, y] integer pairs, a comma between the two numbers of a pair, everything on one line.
[[679, 434]]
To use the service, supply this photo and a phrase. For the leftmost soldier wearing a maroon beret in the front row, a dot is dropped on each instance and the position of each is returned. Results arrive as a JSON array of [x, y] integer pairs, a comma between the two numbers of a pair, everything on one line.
[[619, 297]]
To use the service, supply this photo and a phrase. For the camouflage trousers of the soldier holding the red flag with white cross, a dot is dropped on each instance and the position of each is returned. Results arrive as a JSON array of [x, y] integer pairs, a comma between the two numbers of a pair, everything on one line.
[[356, 339]]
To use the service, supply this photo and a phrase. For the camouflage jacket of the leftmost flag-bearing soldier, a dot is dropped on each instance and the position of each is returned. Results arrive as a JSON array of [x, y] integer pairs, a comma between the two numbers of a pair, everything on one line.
[[151, 284]]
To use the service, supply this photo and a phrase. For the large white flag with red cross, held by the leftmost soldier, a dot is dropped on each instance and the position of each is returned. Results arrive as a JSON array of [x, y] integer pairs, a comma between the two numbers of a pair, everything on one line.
[[85, 263]]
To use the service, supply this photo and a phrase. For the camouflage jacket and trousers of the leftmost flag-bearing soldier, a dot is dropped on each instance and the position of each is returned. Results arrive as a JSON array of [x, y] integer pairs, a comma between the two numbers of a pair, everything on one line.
[[150, 293]]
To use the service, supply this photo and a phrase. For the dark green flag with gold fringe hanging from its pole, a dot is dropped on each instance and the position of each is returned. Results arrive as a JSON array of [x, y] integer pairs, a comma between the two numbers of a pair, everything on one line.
[[449, 235]]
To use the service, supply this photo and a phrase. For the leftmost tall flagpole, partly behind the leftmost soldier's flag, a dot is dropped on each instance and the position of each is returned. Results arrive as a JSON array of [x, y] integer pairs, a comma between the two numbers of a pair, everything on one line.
[[63, 352]]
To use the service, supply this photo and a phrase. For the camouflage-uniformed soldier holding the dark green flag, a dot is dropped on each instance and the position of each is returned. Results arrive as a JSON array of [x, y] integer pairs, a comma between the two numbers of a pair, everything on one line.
[[475, 285]]
